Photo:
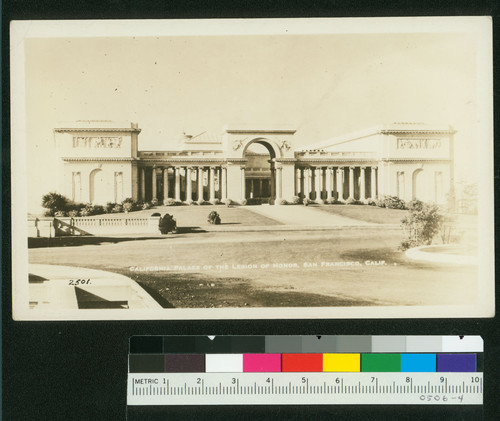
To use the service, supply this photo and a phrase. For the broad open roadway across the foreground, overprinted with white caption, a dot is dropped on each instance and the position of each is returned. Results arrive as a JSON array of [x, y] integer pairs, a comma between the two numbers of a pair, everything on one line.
[[323, 268]]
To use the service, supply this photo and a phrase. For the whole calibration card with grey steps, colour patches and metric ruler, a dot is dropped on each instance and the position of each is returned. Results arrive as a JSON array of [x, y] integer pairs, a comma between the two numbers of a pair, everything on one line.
[[204, 370]]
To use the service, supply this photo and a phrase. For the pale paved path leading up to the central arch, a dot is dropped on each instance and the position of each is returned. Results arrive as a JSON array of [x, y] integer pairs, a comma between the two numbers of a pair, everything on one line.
[[304, 215]]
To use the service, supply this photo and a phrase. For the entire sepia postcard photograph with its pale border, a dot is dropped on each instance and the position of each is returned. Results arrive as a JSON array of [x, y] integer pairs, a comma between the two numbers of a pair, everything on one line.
[[252, 169]]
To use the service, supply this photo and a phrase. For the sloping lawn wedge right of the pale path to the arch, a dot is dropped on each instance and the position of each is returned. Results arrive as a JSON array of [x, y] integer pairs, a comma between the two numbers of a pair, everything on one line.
[[366, 213]]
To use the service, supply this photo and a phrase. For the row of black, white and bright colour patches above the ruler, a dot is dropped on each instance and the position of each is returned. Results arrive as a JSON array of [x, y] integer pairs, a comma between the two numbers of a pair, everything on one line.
[[302, 363]]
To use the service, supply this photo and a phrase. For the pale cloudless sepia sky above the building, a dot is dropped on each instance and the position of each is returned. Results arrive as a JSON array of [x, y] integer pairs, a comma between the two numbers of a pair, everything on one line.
[[321, 85]]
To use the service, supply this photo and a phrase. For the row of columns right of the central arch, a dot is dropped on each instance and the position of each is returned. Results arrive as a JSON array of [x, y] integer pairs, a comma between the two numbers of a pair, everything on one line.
[[341, 183]]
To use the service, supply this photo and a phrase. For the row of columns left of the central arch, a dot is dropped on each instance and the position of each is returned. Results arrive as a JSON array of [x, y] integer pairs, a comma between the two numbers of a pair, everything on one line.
[[187, 179]]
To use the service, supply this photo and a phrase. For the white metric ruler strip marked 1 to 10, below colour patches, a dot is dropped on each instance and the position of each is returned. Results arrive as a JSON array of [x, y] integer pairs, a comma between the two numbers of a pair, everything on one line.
[[305, 388]]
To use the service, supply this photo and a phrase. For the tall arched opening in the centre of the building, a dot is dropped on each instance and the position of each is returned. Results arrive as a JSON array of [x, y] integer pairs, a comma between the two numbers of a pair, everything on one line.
[[260, 180]]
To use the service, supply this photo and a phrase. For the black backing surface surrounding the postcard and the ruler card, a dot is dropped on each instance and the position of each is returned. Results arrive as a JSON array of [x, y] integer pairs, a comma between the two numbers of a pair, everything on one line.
[[77, 370]]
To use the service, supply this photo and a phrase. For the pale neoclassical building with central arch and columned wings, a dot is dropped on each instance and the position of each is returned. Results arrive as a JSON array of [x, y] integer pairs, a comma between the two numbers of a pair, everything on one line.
[[101, 162]]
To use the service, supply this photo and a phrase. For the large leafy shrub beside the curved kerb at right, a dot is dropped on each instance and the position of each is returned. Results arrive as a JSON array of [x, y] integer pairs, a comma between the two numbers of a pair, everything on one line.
[[421, 224]]
